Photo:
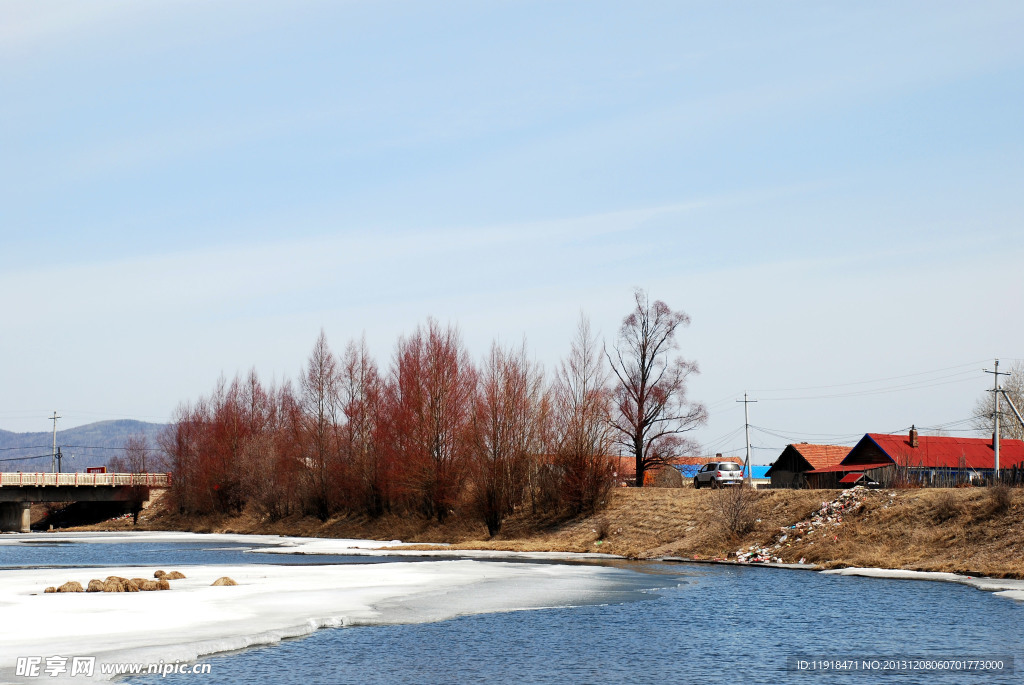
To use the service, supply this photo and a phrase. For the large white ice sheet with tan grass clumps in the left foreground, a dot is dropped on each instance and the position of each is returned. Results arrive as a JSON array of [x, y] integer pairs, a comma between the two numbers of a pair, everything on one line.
[[270, 604]]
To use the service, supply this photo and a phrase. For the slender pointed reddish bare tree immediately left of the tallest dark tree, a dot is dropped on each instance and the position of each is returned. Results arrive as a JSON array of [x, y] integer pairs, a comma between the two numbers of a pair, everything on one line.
[[581, 435]]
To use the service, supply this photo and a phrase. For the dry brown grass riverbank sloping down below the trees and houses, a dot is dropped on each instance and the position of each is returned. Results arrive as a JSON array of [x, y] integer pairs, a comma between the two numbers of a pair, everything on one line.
[[971, 531]]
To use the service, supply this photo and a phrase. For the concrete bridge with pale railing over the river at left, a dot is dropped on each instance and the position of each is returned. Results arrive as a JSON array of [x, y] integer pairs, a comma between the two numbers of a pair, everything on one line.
[[19, 491]]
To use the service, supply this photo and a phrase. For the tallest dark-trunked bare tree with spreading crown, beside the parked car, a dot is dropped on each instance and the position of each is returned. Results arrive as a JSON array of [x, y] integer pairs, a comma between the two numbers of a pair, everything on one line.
[[653, 413]]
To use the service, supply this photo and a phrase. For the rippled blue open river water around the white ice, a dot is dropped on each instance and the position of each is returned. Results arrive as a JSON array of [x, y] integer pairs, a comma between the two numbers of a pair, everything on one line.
[[671, 623]]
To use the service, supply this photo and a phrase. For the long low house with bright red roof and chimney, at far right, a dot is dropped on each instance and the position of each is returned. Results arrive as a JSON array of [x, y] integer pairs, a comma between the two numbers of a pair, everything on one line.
[[925, 460]]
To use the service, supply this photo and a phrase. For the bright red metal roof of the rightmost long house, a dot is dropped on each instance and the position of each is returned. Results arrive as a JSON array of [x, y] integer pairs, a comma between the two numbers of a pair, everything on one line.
[[936, 452]]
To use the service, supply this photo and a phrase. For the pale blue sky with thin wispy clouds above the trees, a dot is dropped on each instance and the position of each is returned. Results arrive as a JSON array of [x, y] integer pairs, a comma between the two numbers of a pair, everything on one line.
[[832, 191]]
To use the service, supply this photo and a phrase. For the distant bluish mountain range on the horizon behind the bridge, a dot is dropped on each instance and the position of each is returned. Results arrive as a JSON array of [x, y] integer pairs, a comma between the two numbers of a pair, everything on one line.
[[92, 445]]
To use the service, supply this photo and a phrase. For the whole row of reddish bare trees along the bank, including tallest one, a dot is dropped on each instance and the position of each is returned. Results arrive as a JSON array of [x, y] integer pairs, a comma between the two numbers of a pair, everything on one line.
[[437, 433]]
